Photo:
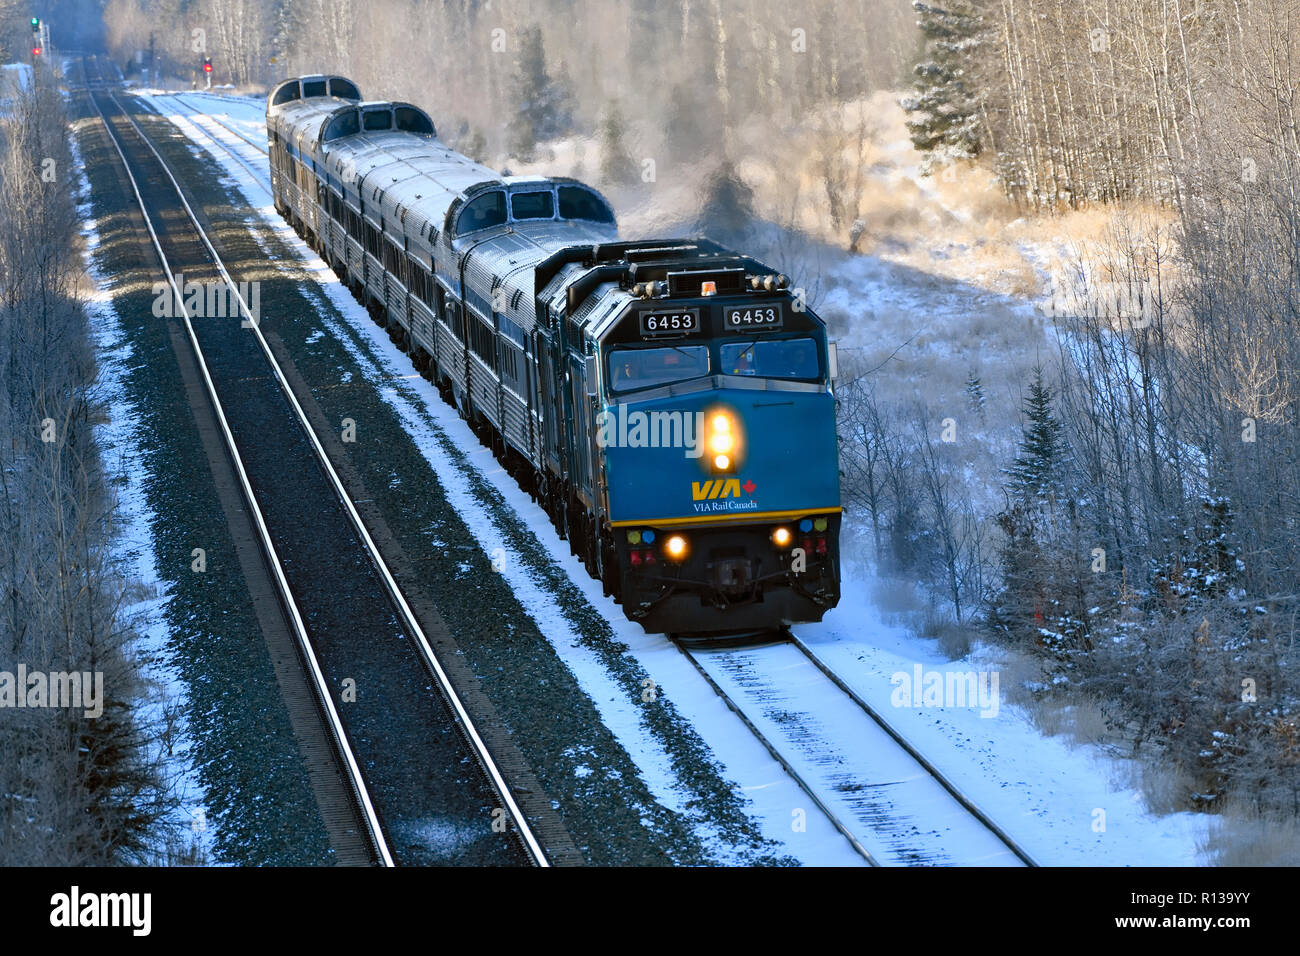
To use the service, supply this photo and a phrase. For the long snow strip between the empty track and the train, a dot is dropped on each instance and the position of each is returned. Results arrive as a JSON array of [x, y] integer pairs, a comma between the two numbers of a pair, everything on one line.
[[434, 425]]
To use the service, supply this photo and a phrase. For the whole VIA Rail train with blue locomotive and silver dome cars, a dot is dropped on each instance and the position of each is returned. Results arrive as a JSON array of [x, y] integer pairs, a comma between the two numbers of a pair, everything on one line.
[[668, 403]]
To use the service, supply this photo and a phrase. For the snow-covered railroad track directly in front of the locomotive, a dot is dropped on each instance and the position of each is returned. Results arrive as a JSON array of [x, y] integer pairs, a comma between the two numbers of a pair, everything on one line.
[[889, 802]]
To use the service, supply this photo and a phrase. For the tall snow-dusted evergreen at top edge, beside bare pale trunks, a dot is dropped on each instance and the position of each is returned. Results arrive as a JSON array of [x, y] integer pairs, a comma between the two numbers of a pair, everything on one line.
[[946, 107]]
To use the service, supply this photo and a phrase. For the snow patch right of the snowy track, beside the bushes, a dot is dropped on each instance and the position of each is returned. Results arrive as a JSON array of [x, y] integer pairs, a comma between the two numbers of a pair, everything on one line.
[[1043, 791]]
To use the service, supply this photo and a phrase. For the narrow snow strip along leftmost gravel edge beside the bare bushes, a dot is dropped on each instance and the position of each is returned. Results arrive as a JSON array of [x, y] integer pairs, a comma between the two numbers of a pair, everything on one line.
[[166, 693]]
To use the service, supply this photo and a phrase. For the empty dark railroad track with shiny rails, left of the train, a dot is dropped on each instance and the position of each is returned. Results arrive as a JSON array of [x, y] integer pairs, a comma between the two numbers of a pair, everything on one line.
[[405, 756]]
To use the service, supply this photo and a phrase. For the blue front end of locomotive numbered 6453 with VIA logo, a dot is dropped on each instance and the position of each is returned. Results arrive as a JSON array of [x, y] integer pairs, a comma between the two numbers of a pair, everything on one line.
[[717, 436]]
